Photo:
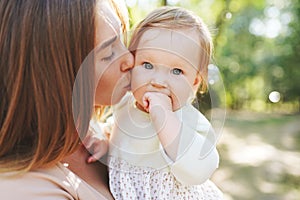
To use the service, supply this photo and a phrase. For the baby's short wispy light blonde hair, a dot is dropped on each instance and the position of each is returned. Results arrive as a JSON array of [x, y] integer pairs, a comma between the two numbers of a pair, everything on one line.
[[176, 18]]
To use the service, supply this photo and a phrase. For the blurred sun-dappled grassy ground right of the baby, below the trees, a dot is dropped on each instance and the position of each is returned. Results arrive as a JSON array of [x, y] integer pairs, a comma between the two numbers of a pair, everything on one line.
[[260, 157]]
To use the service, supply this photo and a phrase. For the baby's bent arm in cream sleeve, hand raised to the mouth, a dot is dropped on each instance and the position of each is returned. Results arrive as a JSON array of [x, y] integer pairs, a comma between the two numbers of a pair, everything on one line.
[[195, 156]]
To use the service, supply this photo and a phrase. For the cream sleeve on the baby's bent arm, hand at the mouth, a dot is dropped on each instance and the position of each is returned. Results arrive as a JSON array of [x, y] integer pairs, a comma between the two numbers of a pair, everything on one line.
[[197, 156]]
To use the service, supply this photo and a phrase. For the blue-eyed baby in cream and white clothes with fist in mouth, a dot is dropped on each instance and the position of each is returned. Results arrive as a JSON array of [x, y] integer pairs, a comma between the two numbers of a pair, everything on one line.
[[161, 147]]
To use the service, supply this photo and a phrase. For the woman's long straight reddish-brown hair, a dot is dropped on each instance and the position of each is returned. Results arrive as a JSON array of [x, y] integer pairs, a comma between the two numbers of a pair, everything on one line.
[[42, 45]]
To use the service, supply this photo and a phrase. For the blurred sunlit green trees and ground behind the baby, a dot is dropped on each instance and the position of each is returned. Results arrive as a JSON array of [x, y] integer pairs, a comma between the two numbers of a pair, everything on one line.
[[257, 54]]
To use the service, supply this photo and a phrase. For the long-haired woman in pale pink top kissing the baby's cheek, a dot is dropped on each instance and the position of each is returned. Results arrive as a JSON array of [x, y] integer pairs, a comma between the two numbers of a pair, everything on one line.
[[42, 46]]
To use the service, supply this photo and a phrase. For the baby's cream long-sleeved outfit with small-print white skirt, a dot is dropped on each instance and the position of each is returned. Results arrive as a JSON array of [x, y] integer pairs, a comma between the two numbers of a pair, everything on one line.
[[139, 169]]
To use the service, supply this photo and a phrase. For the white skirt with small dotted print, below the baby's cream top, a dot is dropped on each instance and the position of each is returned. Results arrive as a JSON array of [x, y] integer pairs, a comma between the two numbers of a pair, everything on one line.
[[138, 183]]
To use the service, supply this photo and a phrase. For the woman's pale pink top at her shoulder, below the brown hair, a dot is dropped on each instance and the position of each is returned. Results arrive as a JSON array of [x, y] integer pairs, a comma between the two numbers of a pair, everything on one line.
[[55, 183]]
